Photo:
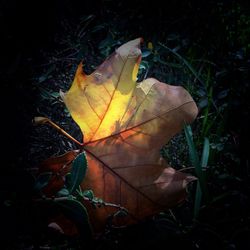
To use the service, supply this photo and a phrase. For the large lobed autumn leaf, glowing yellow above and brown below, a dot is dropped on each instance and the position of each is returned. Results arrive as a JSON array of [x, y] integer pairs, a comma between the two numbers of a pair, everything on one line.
[[125, 124]]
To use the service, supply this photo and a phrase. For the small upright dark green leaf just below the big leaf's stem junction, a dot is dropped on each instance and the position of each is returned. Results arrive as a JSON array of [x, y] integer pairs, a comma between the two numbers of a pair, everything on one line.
[[78, 171]]
